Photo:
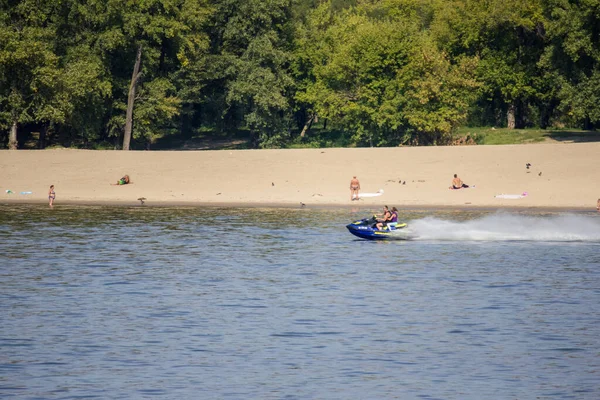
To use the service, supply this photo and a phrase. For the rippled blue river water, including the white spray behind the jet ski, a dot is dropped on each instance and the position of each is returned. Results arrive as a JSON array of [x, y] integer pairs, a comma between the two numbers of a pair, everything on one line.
[[191, 303]]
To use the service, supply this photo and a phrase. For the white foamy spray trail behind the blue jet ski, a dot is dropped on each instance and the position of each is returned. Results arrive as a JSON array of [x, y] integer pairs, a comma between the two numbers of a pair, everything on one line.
[[504, 227]]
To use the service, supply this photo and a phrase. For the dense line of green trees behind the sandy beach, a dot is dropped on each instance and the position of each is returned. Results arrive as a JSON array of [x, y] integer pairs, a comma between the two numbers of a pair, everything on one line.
[[383, 72]]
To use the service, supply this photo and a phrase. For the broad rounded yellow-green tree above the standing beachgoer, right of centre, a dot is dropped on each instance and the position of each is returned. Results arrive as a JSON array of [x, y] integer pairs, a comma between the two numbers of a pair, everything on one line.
[[379, 74]]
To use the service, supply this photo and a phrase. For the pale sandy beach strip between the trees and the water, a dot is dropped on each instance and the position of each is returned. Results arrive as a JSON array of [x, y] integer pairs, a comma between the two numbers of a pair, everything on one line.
[[562, 175]]
